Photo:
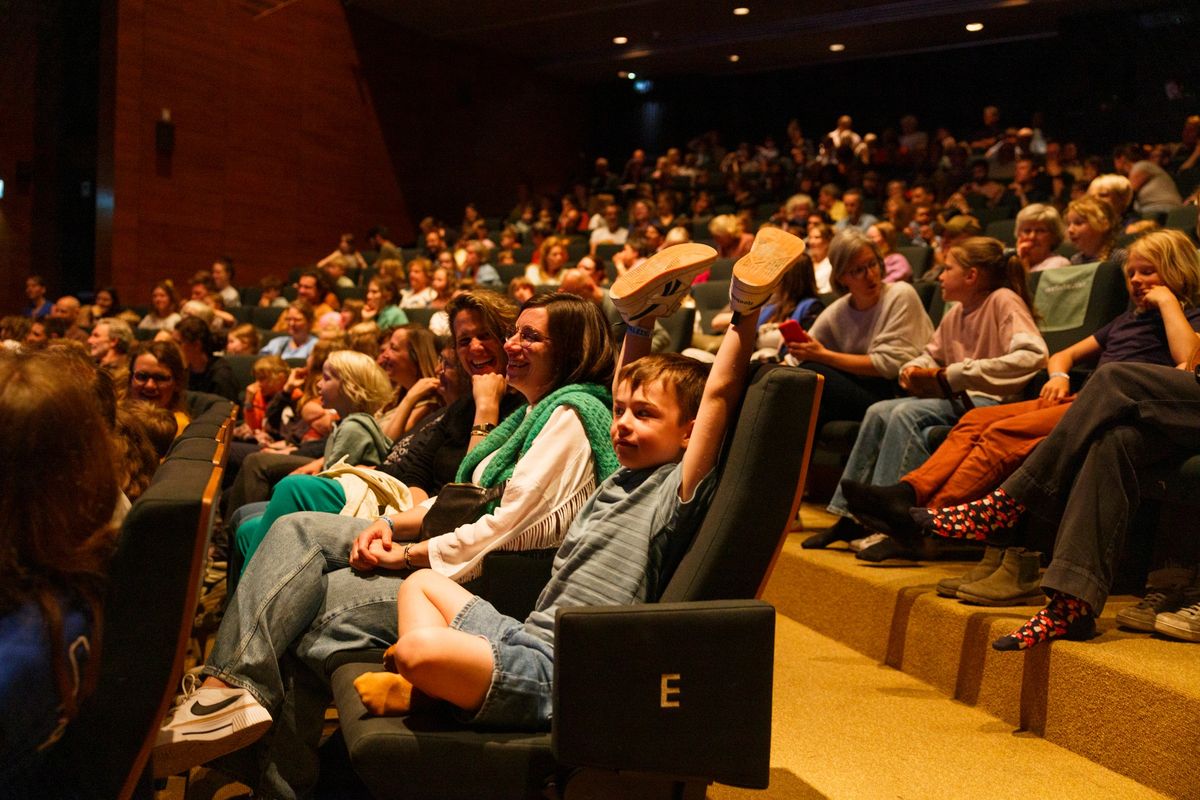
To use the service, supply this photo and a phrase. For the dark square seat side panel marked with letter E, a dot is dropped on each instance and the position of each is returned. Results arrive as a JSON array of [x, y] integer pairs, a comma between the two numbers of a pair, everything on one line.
[[680, 690]]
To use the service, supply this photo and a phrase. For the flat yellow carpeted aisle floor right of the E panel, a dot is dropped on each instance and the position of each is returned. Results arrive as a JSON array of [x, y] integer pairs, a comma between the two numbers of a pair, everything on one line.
[[844, 727]]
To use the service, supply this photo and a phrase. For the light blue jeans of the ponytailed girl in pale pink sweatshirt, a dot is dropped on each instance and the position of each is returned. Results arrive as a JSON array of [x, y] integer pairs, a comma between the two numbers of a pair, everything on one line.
[[892, 442]]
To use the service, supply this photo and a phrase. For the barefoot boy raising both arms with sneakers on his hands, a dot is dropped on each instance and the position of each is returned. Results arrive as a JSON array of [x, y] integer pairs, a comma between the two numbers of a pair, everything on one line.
[[669, 423]]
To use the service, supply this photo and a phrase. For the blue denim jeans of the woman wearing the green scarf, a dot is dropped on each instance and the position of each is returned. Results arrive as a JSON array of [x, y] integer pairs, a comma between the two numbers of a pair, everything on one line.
[[297, 605]]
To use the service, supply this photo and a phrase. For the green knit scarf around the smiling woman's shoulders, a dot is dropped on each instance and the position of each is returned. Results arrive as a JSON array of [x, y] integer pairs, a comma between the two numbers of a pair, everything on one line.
[[513, 438]]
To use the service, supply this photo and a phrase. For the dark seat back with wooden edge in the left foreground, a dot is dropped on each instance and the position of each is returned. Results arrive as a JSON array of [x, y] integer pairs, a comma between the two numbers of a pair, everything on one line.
[[154, 585]]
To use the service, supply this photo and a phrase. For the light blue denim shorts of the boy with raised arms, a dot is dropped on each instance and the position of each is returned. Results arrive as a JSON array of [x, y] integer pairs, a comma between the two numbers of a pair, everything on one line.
[[523, 679]]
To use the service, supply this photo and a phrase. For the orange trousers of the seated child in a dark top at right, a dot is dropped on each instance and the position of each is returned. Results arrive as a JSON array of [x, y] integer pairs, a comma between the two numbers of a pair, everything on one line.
[[986, 447]]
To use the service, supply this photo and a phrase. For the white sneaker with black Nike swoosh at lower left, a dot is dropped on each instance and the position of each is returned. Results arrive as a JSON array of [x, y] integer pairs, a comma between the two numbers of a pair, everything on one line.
[[207, 724]]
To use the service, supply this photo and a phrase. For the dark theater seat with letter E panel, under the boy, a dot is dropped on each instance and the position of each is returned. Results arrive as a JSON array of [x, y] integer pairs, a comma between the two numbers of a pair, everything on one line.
[[670, 696]]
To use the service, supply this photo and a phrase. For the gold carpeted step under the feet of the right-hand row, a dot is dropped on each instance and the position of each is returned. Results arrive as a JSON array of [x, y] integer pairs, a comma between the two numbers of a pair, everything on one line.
[[1126, 701]]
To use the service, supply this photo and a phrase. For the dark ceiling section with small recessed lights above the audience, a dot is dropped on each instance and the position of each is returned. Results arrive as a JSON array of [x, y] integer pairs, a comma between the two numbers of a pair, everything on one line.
[[572, 40]]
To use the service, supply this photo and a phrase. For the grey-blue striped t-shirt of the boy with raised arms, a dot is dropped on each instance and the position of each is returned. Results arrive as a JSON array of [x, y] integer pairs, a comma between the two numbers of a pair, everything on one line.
[[619, 545]]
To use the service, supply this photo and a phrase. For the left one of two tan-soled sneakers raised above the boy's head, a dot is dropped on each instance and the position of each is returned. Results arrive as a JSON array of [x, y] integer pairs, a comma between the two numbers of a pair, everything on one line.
[[656, 287]]
